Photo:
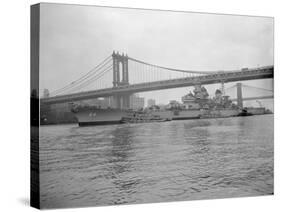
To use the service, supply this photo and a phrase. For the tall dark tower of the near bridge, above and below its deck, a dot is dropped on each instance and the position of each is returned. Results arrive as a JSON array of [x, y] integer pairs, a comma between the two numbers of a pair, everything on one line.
[[120, 77]]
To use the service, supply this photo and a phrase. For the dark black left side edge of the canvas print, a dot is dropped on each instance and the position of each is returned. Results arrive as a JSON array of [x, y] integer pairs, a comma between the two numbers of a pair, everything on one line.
[[34, 106]]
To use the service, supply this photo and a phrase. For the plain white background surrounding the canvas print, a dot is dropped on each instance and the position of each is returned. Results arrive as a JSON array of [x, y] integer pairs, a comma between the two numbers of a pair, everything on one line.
[[14, 106]]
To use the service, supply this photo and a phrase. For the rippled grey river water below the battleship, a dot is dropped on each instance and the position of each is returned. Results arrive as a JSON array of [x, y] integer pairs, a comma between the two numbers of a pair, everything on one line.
[[155, 162]]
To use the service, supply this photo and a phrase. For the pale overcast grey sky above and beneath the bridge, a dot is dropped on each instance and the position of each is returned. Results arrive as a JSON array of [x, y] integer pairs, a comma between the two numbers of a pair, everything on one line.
[[76, 38]]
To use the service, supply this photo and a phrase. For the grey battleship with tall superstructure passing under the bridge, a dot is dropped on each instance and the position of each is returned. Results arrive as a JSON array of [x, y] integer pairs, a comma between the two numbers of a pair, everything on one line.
[[195, 105]]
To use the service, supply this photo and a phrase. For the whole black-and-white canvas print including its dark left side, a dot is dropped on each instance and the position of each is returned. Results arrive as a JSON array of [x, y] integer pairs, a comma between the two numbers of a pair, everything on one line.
[[132, 106]]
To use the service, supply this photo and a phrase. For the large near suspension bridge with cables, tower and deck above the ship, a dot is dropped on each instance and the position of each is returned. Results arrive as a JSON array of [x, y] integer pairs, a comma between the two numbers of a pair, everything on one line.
[[120, 76]]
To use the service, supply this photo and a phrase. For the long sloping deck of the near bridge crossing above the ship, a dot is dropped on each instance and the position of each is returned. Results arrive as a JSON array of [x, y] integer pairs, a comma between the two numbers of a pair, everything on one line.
[[127, 89]]
